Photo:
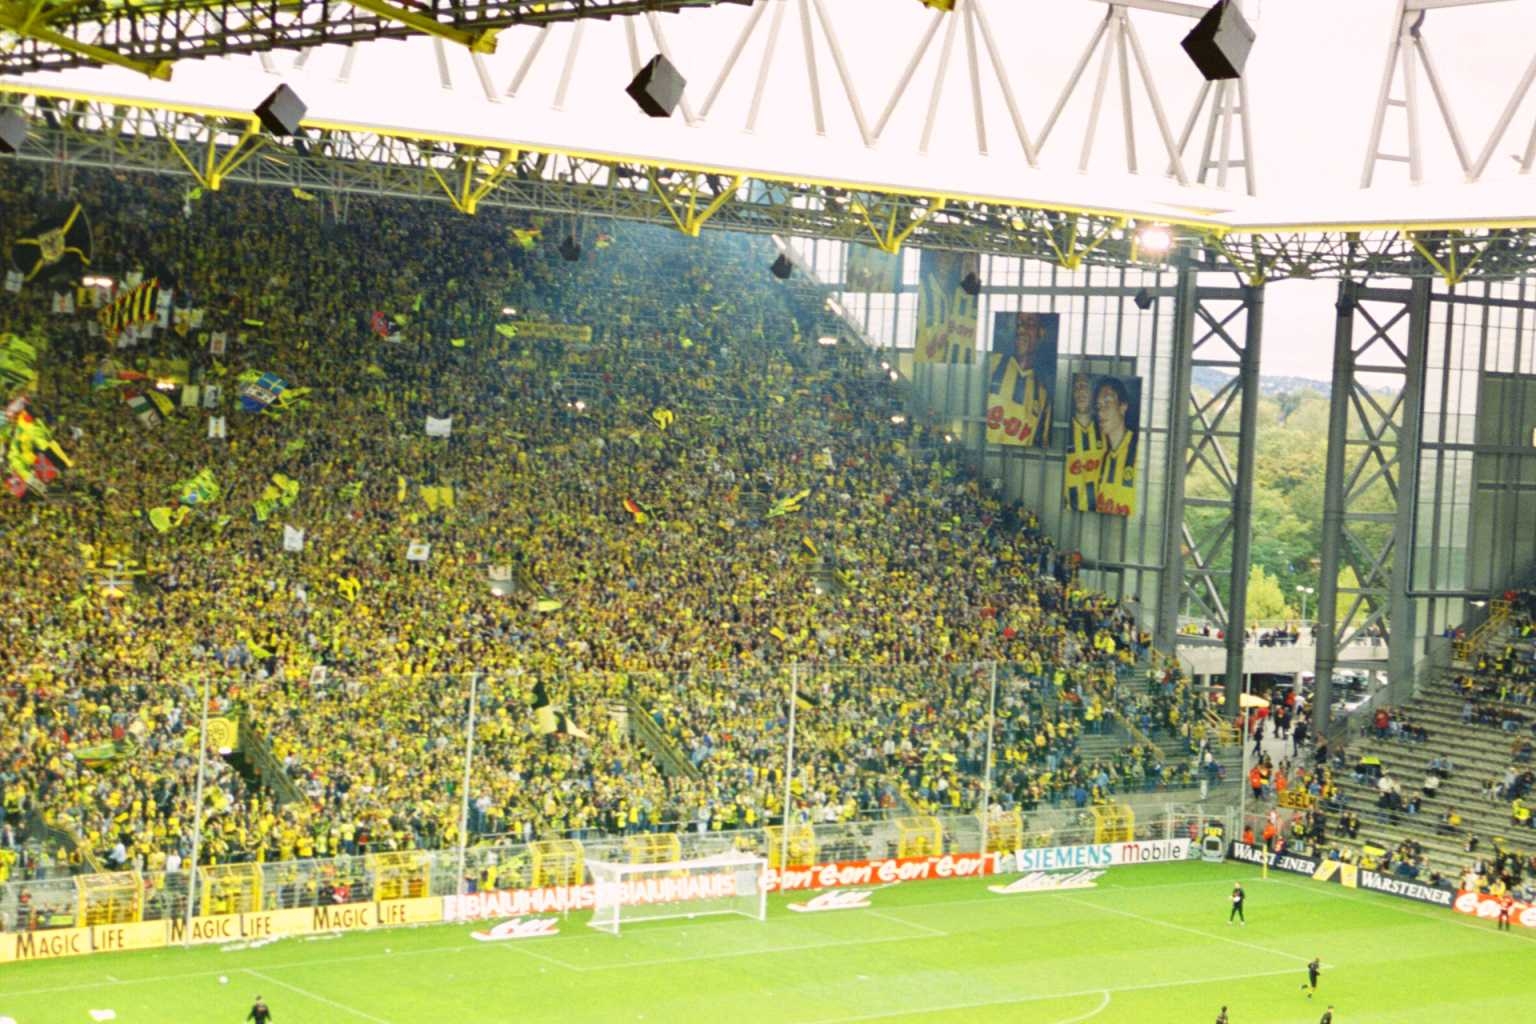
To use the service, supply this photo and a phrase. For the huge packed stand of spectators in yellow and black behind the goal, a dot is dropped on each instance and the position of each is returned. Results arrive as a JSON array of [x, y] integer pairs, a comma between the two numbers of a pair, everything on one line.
[[660, 497]]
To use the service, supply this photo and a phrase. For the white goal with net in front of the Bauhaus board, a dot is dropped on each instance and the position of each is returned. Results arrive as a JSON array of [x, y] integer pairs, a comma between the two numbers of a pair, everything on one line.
[[726, 884]]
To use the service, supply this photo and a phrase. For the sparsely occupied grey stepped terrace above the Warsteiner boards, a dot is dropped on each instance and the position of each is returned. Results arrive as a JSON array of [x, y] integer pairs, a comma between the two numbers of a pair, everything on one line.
[[1480, 755]]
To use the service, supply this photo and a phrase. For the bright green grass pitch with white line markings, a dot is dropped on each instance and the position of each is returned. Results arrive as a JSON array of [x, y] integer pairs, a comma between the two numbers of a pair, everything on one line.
[[1148, 945]]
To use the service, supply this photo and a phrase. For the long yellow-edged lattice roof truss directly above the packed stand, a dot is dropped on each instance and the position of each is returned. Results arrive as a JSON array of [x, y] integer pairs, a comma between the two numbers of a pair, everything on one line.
[[216, 147]]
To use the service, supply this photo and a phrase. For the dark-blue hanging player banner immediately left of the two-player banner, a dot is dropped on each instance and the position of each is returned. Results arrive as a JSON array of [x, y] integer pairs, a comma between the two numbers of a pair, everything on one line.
[[1021, 378]]
